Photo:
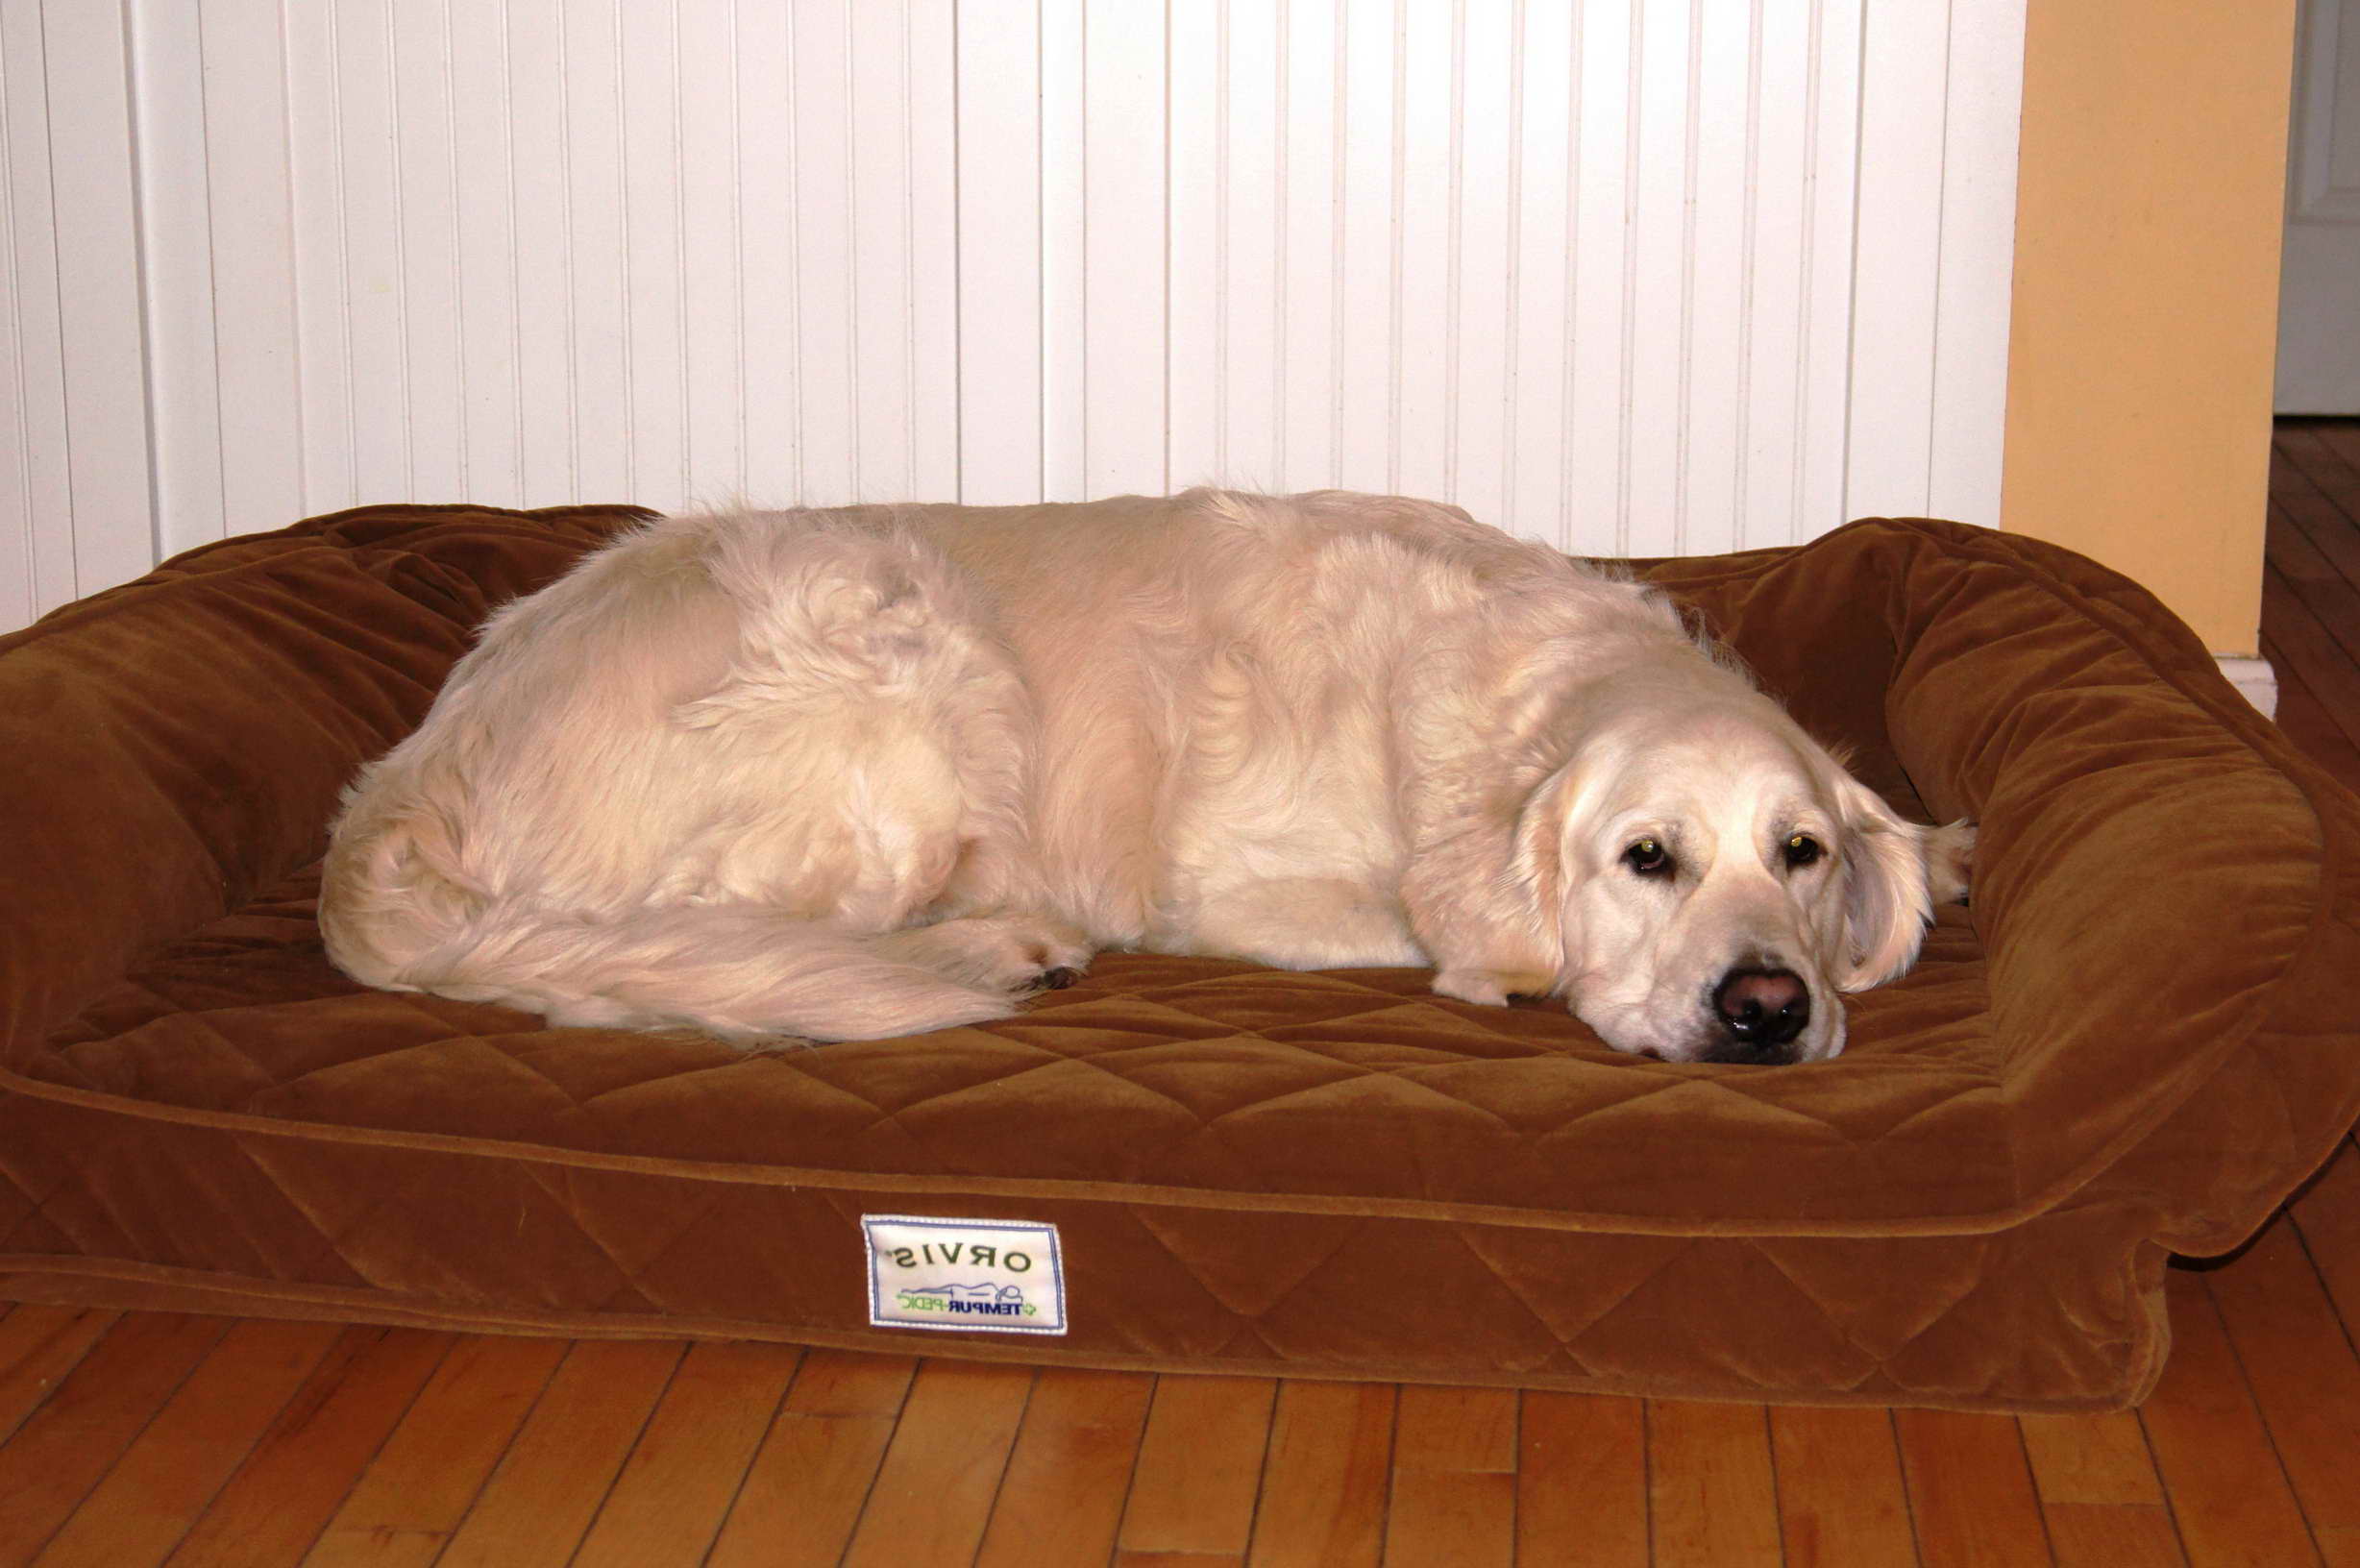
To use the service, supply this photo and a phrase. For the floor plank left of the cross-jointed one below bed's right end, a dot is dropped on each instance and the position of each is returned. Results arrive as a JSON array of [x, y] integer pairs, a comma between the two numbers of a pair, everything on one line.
[[1969, 1489]]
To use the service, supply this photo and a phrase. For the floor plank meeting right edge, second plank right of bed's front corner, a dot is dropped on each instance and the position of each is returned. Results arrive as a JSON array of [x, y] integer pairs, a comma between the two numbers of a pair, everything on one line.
[[2300, 1368]]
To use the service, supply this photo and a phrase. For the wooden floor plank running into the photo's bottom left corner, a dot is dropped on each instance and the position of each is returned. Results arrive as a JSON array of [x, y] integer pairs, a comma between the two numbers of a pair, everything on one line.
[[91, 1418]]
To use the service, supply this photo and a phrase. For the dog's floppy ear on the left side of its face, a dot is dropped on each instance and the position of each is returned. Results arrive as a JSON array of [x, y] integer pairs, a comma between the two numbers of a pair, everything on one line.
[[1488, 901]]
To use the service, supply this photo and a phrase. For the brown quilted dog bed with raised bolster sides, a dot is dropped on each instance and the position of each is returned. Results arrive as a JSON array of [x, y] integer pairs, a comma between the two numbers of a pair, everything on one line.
[[2137, 1043]]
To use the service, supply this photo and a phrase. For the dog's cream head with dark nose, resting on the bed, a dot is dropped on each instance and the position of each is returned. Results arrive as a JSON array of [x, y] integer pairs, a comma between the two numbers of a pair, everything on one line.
[[1712, 882]]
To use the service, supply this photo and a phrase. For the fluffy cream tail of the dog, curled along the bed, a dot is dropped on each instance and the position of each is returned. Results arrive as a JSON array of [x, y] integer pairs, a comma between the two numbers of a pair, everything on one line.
[[398, 922]]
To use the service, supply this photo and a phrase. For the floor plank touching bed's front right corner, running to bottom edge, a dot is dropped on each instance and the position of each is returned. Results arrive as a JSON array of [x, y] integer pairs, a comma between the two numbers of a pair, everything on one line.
[[2227, 1489]]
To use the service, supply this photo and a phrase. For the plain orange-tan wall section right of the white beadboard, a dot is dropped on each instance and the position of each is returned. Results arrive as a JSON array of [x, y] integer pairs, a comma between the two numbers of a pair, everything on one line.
[[2144, 329]]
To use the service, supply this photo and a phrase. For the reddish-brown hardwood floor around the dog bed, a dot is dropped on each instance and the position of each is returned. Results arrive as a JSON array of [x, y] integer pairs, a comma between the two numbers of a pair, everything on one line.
[[155, 1439]]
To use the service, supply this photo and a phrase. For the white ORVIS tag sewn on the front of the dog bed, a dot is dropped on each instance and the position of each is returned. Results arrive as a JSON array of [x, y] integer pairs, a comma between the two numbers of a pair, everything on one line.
[[964, 1274]]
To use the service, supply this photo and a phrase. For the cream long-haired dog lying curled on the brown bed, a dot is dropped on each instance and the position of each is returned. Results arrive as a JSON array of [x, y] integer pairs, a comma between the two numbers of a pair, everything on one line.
[[881, 771]]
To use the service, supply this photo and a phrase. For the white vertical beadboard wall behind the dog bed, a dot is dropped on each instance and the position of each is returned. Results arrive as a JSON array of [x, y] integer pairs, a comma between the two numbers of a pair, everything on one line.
[[1627, 275]]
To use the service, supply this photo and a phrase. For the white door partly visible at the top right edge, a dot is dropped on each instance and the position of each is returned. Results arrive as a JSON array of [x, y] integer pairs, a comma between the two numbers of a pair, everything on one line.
[[2319, 306]]
